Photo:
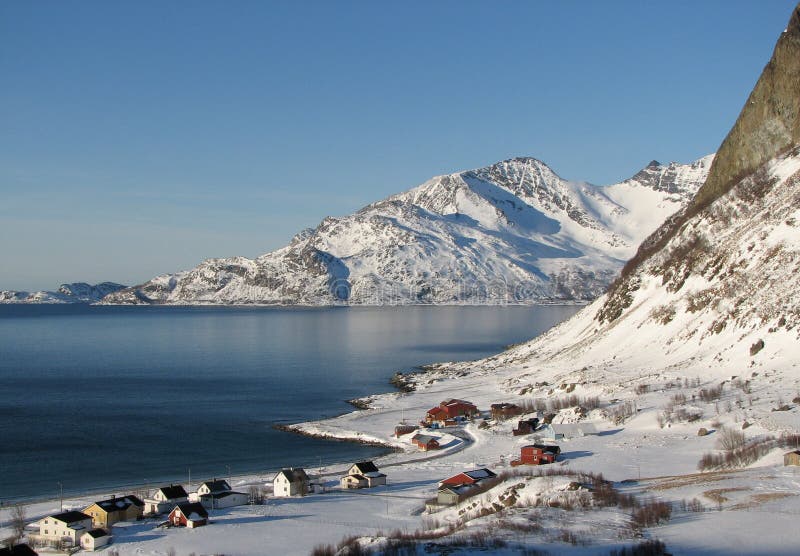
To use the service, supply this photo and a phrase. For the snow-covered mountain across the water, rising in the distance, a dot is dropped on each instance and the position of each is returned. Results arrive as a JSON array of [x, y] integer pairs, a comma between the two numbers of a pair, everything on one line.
[[511, 232]]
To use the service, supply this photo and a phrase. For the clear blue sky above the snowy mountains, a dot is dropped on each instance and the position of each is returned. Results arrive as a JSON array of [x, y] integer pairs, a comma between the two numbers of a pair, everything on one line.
[[141, 137]]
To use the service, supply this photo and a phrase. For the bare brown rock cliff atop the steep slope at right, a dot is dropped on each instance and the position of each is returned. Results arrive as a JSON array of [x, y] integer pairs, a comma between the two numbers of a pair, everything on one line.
[[767, 128]]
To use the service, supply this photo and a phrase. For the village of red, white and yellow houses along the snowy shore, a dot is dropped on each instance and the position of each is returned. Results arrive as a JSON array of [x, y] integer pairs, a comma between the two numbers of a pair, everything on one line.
[[91, 528]]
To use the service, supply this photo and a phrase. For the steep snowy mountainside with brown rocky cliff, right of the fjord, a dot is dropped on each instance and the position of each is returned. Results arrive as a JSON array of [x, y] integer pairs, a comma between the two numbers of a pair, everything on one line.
[[715, 291]]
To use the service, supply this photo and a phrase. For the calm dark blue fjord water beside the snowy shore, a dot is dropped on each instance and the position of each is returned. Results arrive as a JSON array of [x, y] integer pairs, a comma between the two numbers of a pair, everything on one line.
[[97, 397]]
